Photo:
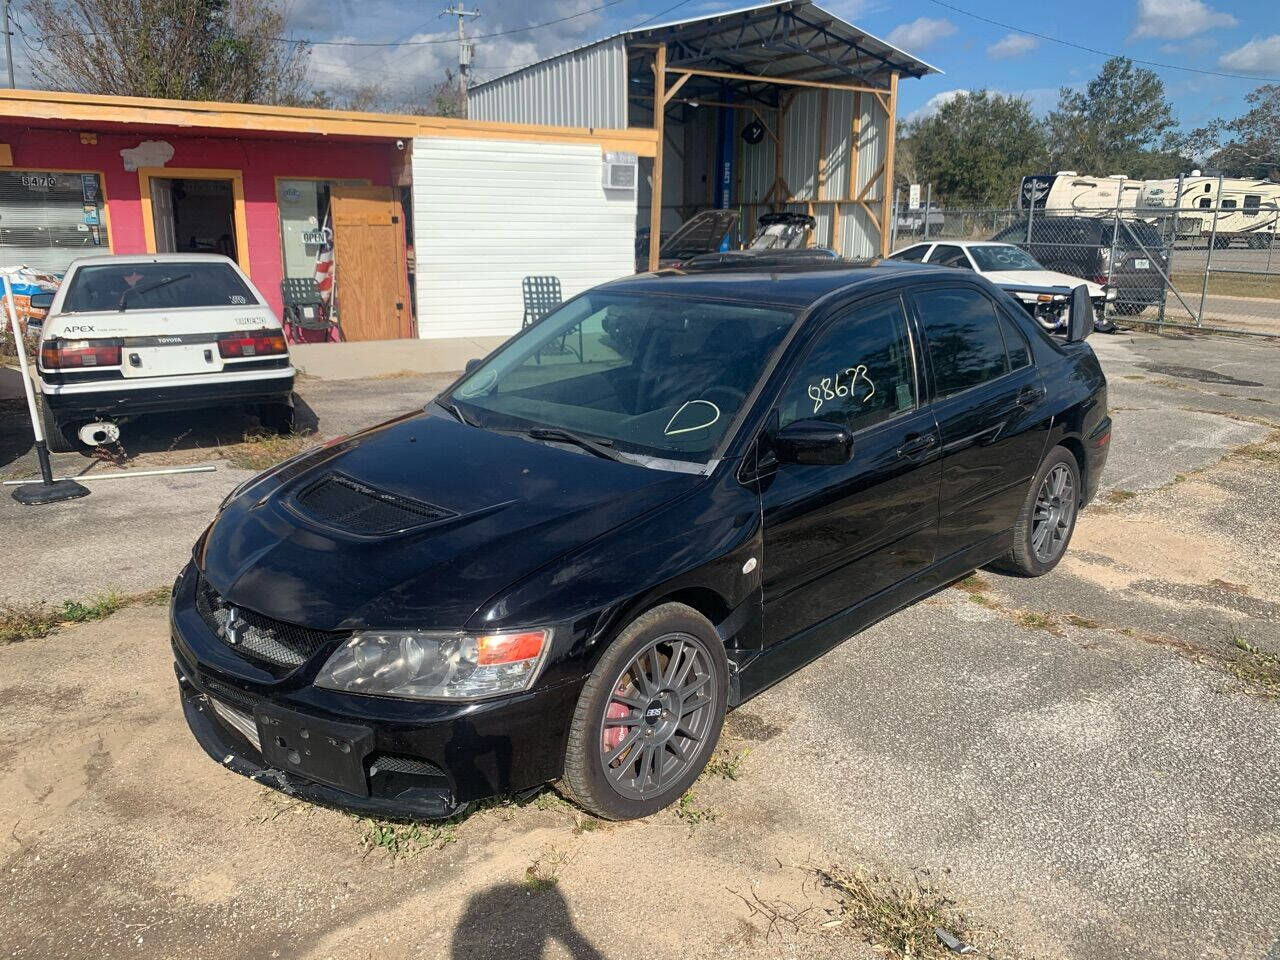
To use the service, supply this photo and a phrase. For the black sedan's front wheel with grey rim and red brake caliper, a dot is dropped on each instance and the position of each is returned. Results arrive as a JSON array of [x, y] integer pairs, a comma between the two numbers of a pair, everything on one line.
[[646, 770]]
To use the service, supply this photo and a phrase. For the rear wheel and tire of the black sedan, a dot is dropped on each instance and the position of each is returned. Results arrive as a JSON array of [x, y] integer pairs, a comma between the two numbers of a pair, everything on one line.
[[1060, 511]]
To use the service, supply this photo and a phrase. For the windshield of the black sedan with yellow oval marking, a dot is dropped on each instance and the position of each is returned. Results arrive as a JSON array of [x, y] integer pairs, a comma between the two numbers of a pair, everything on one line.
[[653, 376]]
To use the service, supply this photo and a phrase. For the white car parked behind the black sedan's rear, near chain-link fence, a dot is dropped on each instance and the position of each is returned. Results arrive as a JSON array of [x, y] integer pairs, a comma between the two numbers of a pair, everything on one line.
[[1007, 266]]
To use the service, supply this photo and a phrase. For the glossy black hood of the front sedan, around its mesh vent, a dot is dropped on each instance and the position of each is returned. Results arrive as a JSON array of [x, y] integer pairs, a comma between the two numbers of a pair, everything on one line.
[[514, 505]]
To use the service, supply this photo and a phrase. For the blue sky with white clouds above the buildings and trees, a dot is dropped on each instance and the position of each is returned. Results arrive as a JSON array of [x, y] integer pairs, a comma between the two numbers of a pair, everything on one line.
[[1217, 36]]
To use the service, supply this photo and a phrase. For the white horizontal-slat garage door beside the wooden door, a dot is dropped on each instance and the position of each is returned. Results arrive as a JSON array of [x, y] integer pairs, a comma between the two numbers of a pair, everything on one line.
[[490, 213]]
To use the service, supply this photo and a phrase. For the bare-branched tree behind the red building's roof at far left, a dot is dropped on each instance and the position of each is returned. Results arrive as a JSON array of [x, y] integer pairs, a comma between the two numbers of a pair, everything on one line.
[[181, 49]]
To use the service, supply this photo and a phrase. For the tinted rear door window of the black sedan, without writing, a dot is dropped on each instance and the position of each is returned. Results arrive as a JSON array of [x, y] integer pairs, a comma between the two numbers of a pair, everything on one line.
[[966, 346]]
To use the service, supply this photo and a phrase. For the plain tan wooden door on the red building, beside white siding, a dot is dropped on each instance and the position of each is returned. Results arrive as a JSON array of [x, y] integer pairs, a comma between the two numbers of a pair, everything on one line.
[[369, 264]]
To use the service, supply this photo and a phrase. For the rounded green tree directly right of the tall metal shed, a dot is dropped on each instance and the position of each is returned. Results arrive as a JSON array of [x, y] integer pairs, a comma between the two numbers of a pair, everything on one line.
[[977, 148]]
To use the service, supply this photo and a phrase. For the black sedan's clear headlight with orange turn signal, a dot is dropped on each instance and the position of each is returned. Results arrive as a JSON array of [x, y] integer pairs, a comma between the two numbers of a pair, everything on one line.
[[436, 666]]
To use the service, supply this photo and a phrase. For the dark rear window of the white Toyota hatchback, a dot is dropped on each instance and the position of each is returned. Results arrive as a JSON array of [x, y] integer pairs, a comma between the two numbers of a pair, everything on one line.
[[166, 286]]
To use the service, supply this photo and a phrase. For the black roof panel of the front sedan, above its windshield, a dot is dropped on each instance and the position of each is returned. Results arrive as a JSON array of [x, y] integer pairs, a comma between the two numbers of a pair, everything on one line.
[[797, 286]]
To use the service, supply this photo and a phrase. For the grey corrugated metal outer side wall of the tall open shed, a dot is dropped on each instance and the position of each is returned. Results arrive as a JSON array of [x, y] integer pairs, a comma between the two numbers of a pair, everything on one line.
[[587, 88]]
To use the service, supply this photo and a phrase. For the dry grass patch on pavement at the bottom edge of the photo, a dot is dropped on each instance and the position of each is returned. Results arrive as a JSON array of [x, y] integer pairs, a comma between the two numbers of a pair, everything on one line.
[[897, 920]]
